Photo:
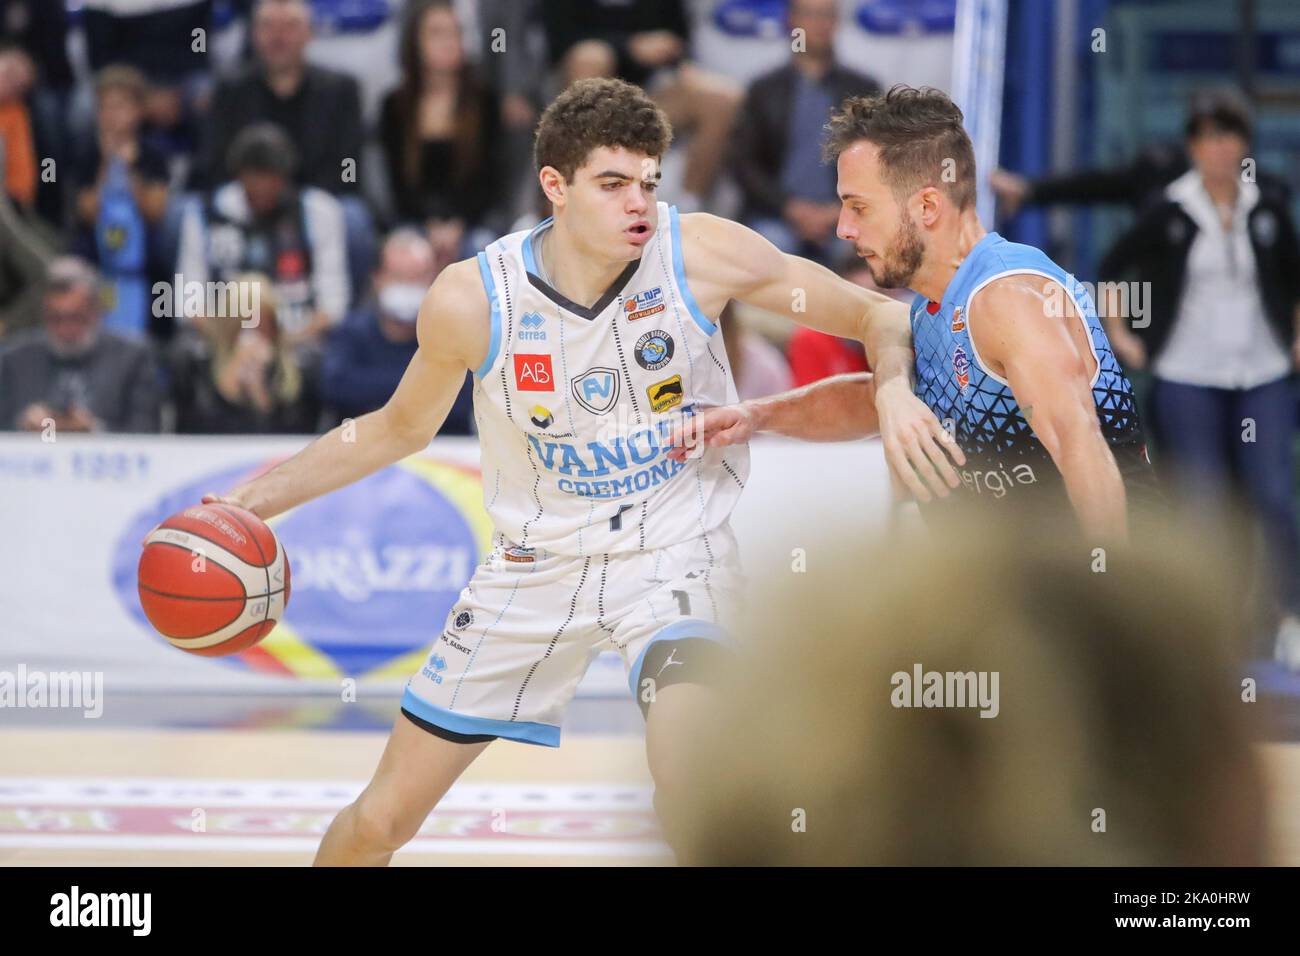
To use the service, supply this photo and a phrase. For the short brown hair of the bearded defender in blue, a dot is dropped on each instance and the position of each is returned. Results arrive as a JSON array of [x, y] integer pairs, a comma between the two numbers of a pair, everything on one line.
[[918, 133]]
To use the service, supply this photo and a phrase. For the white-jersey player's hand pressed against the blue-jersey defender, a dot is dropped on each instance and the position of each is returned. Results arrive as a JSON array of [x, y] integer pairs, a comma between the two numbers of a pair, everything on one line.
[[917, 445]]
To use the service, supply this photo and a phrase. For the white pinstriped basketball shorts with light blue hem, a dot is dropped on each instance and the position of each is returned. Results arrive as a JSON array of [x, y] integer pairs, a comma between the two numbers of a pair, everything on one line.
[[530, 624]]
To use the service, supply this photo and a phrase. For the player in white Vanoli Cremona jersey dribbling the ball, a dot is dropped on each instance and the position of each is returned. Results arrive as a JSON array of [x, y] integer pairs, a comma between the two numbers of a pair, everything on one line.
[[590, 338]]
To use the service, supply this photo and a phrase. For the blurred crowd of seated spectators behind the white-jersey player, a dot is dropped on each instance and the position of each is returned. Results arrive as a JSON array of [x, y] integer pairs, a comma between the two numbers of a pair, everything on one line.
[[174, 166]]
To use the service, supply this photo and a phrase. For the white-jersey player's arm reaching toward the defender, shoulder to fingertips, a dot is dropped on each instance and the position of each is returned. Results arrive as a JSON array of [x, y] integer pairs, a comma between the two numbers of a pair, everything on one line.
[[735, 262]]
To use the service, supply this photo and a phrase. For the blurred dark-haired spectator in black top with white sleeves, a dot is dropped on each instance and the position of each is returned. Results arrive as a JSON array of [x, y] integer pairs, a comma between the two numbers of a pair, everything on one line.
[[263, 223]]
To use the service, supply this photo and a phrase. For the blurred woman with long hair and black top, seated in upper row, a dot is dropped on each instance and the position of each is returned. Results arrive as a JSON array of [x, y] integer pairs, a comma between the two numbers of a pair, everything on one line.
[[441, 131]]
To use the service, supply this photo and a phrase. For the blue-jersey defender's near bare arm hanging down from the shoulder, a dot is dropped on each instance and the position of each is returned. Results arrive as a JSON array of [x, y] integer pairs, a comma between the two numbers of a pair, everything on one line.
[[1021, 340]]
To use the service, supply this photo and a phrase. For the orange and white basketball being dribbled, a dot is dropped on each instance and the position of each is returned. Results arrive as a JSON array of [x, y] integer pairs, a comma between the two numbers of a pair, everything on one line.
[[214, 579]]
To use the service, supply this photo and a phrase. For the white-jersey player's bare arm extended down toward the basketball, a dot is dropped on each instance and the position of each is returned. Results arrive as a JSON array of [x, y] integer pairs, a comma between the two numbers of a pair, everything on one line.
[[453, 335]]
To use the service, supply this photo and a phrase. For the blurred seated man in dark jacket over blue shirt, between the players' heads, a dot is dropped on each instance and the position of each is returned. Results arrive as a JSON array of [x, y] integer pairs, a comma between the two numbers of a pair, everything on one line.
[[777, 148]]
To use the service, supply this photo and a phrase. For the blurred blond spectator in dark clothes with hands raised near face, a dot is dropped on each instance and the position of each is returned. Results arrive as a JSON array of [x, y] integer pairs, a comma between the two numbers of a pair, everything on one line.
[[246, 380]]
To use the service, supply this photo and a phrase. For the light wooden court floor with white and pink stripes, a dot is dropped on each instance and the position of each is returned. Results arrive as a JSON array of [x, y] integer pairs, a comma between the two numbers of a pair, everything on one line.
[[263, 798]]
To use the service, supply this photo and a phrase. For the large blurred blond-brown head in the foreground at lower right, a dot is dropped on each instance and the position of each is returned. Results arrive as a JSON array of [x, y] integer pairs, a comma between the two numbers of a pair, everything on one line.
[[1116, 732]]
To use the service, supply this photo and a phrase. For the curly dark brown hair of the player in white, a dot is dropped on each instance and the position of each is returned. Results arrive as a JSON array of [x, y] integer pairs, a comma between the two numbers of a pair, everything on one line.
[[599, 113]]
